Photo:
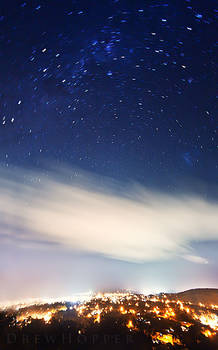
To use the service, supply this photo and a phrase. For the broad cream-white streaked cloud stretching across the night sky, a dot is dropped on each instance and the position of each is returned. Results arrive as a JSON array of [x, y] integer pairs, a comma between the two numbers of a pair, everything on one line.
[[134, 224]]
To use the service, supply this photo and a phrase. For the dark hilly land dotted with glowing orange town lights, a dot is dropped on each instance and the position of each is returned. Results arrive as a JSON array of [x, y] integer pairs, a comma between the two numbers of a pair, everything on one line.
[[115, 321]]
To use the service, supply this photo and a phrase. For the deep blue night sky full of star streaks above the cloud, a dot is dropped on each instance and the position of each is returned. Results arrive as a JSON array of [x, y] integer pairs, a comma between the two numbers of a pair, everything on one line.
[[120, 89]]
